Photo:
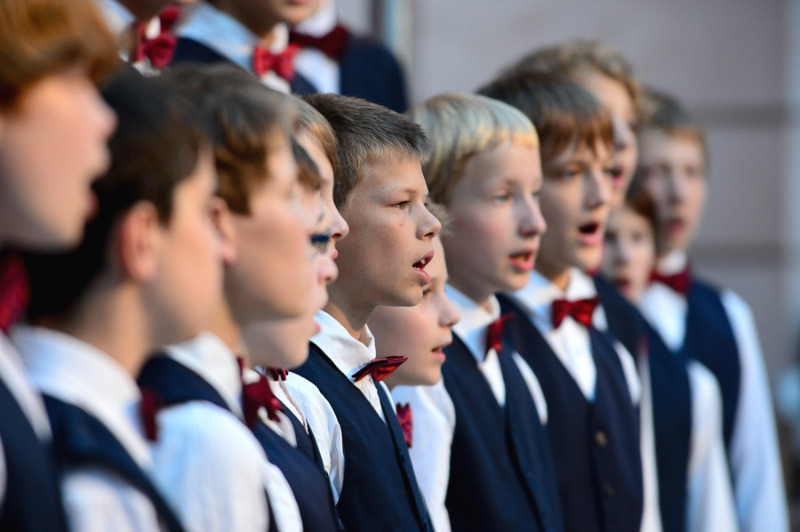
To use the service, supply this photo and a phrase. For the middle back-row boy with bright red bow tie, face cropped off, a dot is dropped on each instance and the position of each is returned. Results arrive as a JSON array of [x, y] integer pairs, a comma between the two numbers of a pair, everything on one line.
[[251, 35]]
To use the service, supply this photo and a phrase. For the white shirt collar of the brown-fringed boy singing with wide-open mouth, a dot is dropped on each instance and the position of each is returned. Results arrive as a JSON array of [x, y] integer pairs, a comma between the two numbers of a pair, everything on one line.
[[538, 295]]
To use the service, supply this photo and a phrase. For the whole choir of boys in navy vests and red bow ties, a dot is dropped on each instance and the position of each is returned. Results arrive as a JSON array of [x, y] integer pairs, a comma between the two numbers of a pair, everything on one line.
[[227, 307]]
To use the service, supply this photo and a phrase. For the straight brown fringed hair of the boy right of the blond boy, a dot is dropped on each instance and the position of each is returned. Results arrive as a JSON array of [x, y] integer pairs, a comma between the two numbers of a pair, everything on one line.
[[563, 112]]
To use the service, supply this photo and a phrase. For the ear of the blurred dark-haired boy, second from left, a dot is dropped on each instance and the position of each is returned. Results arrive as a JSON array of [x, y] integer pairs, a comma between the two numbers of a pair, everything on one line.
[[138, 242]]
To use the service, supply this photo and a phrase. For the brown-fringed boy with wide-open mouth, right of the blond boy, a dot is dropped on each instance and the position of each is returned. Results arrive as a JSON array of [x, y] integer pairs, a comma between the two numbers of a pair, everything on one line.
[[589, 381]]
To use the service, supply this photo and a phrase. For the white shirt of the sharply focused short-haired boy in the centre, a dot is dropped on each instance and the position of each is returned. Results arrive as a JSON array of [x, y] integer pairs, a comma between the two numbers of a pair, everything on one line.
[[348, 355]]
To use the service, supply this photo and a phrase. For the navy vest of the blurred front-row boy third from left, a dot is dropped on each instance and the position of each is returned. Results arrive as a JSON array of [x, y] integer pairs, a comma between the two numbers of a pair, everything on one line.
[[179, 384]]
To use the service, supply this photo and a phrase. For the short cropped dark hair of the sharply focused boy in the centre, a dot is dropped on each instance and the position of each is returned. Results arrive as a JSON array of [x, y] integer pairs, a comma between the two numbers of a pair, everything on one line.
[[366, 132]]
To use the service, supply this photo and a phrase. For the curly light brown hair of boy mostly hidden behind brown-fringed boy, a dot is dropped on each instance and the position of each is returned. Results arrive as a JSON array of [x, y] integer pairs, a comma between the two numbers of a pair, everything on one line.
[[574, 59]]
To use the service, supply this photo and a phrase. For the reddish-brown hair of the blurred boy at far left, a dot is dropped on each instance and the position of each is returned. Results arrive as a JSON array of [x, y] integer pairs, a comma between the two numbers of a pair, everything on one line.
[[43, 37]]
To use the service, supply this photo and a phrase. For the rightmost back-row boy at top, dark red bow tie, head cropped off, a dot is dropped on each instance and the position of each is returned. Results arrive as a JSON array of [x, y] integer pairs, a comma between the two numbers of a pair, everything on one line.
[[334, 59]]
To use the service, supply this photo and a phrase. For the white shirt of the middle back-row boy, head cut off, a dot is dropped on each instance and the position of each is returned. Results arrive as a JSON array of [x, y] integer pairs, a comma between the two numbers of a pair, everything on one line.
[[229, 37]]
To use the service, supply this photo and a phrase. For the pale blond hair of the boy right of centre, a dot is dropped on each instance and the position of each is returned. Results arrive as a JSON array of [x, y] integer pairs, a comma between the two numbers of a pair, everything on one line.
[[459, 126]]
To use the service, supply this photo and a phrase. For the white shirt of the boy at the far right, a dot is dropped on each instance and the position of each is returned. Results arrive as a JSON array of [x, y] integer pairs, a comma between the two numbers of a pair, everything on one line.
[[754, 457]]
